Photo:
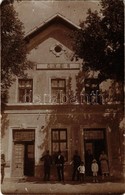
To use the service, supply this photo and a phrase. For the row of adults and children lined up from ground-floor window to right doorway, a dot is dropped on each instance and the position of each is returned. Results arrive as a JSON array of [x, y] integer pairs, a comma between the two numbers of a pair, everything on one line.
[[78, 166]]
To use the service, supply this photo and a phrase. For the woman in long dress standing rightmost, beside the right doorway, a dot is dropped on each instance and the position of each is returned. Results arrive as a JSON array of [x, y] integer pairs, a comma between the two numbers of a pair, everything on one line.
[[104, 164]]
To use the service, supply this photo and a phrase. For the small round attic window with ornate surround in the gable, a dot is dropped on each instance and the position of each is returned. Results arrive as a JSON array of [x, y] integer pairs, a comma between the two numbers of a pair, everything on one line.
[[57, 49]]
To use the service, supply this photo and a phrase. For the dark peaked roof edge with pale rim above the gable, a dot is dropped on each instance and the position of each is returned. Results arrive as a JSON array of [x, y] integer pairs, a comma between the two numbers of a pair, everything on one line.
[[56, 19]]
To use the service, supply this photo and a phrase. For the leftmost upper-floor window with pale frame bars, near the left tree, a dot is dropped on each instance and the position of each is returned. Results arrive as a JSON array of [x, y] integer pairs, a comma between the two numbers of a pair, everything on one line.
[[25, 87]]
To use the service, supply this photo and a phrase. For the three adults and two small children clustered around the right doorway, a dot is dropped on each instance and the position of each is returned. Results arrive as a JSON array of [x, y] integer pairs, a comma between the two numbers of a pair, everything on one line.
[[91, 166]]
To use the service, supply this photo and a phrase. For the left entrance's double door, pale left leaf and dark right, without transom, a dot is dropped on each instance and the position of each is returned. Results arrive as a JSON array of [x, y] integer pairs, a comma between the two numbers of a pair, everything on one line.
[[23, 159]]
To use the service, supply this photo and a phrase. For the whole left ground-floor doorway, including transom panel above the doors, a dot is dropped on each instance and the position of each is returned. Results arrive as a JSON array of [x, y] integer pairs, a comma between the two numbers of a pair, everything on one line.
[[23, 153]]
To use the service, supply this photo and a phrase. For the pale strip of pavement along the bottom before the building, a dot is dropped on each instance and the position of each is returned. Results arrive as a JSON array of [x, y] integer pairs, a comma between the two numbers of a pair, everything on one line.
[[19, 187]]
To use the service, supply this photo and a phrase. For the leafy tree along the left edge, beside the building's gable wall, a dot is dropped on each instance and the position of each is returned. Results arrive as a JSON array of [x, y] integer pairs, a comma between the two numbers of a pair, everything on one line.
[[13, 48]]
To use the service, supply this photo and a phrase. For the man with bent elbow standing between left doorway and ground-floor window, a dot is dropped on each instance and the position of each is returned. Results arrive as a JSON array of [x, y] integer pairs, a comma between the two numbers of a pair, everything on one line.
[[47, 165]]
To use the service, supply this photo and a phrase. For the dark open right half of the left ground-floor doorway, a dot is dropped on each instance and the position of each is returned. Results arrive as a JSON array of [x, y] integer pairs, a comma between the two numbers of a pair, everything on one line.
[[29, 159]]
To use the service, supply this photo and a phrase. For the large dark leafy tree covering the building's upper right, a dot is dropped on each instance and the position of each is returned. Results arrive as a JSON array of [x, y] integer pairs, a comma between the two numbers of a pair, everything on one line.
[[100, 41]]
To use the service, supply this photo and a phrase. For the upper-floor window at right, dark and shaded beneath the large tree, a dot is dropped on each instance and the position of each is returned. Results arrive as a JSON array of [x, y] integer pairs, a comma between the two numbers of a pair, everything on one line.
[[92, 91]]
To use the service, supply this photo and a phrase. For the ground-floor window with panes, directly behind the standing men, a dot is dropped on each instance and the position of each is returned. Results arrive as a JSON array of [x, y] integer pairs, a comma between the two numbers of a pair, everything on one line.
[[59, 141]]
